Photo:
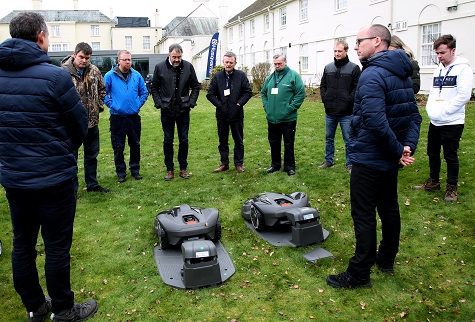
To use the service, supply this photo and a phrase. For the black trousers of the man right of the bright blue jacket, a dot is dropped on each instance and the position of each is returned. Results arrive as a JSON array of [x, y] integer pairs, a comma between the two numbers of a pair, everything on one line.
[[182, 122]]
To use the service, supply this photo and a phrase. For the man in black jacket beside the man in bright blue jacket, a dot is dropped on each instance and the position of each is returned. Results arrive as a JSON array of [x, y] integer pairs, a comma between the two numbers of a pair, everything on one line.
[[175, 89]]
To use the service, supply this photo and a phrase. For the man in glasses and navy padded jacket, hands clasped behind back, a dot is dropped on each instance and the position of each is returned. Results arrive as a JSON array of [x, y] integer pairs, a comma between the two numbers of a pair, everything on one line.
[[383, 137]]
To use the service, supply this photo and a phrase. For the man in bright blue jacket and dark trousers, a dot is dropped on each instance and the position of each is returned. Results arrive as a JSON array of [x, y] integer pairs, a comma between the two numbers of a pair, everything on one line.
[[126, 93]]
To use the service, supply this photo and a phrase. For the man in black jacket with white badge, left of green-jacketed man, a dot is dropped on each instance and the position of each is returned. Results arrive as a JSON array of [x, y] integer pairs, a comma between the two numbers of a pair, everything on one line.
[[228, 92]]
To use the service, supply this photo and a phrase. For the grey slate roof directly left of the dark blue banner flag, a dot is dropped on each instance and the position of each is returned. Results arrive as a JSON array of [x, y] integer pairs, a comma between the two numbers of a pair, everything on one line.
[[191, 26]]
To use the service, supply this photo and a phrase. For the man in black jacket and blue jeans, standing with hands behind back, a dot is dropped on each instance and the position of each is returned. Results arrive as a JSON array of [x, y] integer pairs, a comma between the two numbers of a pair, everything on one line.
[[337, 90]]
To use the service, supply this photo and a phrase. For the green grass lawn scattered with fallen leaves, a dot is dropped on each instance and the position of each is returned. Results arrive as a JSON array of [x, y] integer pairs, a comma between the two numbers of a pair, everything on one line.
[[112, 253]]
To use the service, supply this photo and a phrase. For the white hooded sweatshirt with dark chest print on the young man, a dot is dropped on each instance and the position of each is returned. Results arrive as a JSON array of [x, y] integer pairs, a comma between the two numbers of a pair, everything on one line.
[[446, 104]]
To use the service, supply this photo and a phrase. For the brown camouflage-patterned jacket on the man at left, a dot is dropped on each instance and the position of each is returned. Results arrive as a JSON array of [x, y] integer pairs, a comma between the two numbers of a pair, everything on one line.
[[91, 88]]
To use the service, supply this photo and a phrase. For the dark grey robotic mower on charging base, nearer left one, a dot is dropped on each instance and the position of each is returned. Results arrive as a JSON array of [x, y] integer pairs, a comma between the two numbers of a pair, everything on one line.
[[190, 254]]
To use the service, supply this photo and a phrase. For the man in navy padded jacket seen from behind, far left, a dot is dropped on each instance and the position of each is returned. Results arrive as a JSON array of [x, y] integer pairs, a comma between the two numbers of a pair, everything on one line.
[[43, 123]]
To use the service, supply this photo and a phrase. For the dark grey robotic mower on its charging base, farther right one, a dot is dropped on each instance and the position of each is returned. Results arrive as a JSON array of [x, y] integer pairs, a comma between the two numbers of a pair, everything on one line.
[[284, 219]]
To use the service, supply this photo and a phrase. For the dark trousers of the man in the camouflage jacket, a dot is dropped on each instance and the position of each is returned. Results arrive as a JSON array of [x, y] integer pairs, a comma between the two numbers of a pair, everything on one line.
[[91, 151]]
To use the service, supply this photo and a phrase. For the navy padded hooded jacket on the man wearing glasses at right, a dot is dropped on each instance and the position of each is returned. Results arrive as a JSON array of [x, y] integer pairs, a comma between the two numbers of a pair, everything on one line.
[[385, 115]]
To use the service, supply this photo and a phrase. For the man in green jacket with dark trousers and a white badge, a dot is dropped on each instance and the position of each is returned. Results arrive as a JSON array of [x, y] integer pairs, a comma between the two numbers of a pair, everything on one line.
[[282, 94]]
